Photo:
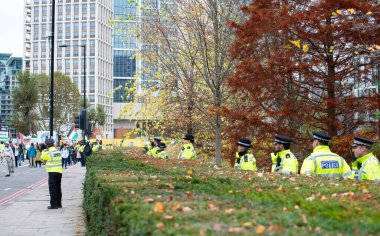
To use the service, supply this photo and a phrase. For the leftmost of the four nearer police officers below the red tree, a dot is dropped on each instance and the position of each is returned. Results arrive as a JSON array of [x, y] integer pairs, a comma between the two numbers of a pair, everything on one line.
[[244, 159]]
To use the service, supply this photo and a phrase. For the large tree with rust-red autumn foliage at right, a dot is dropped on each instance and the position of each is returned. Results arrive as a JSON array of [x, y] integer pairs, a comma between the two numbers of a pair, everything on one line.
[[299, 63]]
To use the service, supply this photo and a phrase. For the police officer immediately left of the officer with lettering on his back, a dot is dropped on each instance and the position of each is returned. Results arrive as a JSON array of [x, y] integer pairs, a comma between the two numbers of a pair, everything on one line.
[[283, 159]]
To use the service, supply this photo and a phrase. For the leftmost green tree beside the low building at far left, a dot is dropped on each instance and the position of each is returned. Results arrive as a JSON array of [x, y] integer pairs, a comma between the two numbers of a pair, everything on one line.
[[24, 99]]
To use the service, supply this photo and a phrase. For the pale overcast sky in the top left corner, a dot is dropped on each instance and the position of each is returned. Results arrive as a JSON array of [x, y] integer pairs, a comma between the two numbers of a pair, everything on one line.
[[12, 27]]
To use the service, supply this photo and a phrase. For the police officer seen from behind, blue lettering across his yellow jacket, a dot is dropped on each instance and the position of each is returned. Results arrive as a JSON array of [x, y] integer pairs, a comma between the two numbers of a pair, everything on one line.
[[323, 162]]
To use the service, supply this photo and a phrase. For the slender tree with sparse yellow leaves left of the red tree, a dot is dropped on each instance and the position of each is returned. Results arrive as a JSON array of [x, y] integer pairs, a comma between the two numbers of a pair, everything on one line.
[[190, 43]]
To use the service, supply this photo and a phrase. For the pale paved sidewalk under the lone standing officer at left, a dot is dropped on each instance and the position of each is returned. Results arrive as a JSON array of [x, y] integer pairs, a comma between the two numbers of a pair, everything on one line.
[[28, 213]]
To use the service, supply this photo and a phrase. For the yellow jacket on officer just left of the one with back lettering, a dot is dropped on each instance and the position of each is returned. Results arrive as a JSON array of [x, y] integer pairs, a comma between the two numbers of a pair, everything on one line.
[[284, 162]]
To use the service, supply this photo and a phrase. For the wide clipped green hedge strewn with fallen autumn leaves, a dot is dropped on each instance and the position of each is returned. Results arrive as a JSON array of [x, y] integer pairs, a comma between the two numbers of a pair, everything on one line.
[[141, 196]]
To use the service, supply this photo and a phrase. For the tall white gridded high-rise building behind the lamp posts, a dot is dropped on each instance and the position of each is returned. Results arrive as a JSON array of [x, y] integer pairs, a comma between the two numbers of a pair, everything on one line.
[[77, 22]]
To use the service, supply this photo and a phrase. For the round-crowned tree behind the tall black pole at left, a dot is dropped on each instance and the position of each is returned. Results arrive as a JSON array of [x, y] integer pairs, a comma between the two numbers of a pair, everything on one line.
[[66, 101]]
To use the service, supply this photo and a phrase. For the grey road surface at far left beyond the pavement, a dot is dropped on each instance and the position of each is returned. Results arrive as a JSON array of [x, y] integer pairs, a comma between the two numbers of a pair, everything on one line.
[[24, 179]]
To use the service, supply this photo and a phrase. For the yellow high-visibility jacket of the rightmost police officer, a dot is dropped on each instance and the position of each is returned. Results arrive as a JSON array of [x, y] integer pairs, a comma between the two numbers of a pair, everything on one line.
[[366, 168]]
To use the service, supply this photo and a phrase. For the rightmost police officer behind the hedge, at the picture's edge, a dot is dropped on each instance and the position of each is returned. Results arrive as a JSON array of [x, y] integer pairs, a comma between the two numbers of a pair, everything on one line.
[[366, 166]]
